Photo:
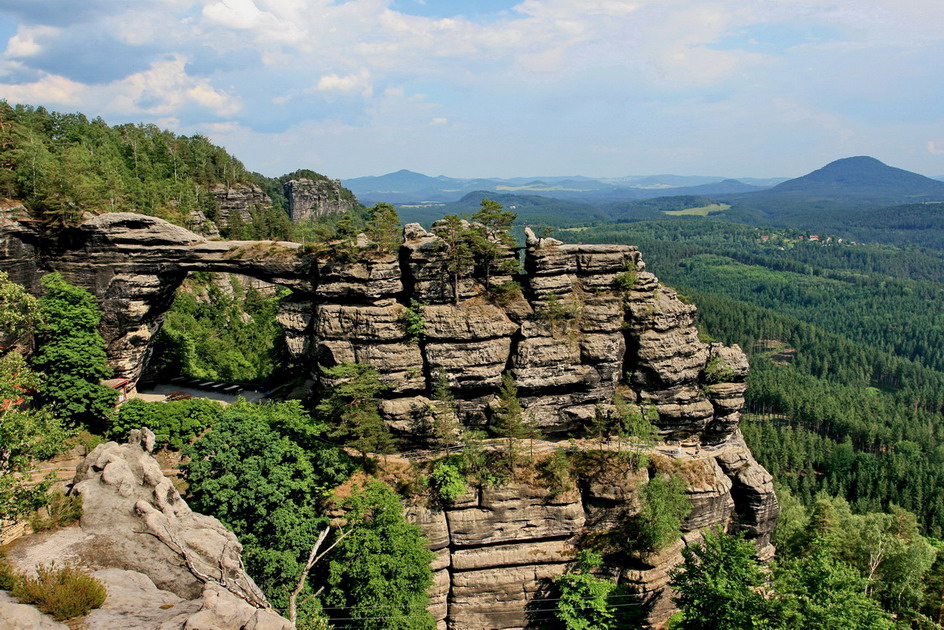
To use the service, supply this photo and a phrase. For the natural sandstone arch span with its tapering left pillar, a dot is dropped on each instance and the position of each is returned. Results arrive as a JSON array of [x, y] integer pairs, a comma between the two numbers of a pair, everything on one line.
[[134, 264]]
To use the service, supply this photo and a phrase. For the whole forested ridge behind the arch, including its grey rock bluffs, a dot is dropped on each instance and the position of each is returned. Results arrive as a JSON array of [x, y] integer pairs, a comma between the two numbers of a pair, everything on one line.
[[66, 166]]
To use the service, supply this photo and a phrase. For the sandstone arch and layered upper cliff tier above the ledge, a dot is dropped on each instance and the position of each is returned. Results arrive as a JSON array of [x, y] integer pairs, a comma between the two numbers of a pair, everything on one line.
[[586, 317]]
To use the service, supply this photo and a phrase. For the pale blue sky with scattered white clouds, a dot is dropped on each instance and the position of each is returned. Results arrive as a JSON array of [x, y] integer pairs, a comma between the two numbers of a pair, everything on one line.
[[500, 88]]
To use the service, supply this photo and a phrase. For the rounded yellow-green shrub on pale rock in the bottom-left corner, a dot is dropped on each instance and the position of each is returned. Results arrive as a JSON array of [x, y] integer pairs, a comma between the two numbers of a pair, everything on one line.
[[63, 593]]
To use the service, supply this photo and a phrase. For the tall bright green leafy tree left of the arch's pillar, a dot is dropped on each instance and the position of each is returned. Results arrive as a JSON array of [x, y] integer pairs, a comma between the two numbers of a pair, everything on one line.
[[71, 354]]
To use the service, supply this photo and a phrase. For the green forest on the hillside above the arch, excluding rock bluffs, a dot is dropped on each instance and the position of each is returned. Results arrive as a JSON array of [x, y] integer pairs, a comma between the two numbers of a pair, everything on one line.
[[62, 165]]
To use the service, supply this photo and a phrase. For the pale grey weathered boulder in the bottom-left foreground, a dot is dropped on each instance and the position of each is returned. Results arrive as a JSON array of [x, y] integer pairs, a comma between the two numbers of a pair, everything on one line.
[[164, 566]]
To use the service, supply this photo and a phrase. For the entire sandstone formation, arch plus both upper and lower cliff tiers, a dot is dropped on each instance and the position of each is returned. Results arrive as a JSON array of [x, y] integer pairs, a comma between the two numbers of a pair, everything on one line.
[[589, 322]]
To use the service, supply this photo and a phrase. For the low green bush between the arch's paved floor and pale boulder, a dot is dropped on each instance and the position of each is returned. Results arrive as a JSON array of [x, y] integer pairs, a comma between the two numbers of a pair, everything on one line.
[[174, 424]]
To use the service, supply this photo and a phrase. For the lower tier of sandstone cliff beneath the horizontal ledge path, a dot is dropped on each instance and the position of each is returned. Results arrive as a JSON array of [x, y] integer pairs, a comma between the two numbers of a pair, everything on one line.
[[499, 547]]
